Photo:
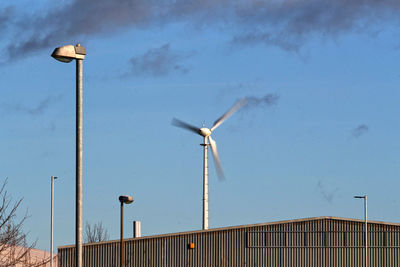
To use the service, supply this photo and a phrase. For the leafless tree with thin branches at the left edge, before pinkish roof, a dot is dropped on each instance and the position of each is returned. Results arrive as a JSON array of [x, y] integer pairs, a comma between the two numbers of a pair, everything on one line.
[[14, 249]]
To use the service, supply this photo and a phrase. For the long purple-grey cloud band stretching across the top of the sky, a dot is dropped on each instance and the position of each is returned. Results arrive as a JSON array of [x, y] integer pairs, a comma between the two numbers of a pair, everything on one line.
[[284, 23]]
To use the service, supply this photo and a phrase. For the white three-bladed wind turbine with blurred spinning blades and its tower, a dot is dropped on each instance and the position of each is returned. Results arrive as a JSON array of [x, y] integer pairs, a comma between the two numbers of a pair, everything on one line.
[[206, 134]]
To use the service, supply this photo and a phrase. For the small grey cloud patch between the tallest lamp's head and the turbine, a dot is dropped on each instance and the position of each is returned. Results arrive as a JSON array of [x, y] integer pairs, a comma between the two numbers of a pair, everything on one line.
[[158, 62]]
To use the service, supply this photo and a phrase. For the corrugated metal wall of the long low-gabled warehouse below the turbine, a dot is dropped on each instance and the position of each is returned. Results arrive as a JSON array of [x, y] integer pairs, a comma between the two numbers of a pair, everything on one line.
[[320, 242]]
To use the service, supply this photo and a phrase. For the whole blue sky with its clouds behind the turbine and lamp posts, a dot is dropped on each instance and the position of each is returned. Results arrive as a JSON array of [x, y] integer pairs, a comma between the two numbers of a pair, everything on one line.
[[332, 132]]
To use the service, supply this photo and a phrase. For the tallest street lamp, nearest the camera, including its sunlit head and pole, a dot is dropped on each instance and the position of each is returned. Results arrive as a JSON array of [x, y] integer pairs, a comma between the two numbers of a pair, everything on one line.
[[67, 54]]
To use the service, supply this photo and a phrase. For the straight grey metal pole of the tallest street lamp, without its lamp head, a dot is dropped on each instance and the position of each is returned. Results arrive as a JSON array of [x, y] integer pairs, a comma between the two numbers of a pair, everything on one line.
[[79, 103]]
